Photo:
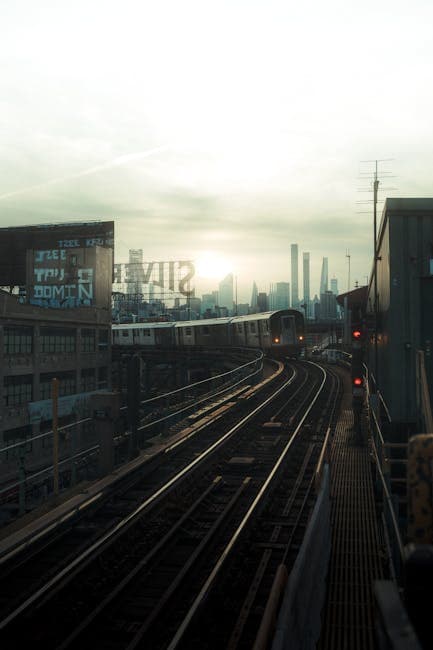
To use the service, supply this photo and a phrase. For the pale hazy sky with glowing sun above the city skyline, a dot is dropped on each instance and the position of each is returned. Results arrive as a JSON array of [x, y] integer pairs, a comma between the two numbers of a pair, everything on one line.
[[218, 130]]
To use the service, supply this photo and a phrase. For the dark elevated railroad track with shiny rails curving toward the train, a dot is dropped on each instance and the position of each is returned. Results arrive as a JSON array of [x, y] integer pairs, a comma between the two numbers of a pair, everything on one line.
[[121, 585]]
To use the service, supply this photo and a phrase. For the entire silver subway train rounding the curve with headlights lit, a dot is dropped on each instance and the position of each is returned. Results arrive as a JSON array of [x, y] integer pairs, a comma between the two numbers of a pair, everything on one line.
[[279, 333]]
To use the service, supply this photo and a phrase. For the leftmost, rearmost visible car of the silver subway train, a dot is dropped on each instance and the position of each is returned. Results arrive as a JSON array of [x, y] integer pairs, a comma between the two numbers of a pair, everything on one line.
[[144, 334]]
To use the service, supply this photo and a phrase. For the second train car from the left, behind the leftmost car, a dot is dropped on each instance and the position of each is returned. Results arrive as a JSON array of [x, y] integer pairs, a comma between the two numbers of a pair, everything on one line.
[[210, 332]]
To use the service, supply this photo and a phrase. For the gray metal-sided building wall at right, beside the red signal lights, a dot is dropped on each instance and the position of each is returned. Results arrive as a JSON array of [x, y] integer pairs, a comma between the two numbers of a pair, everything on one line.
[[404, 282]]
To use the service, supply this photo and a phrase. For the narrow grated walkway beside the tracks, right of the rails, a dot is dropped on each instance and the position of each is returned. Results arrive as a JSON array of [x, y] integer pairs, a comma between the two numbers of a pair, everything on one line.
[[356, 552]]
